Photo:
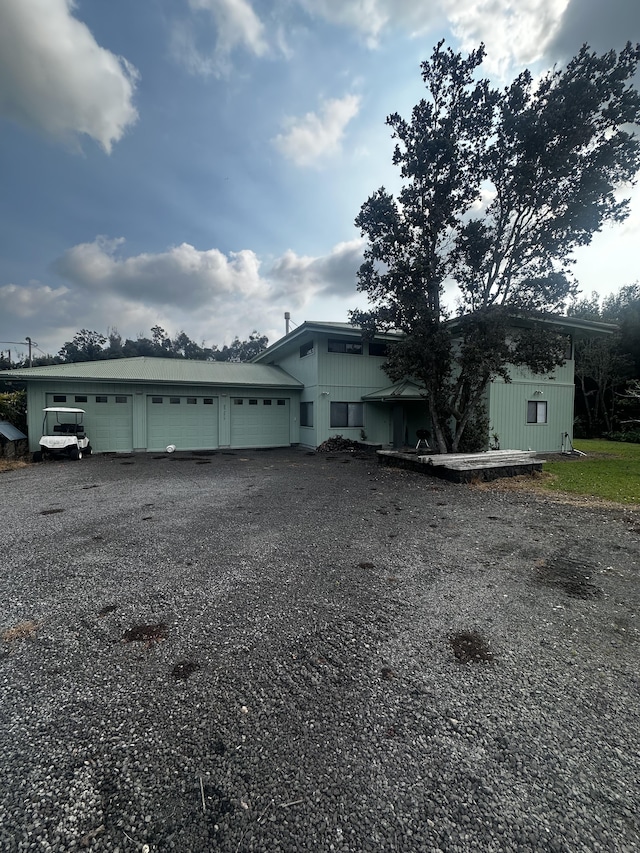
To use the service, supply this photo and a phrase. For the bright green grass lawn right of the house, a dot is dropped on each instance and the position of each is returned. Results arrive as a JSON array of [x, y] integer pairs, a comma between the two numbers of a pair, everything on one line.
[[611, 471]]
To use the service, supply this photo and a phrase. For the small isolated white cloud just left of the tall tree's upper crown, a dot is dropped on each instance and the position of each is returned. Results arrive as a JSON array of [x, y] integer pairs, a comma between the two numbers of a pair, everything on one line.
[[312, 138]]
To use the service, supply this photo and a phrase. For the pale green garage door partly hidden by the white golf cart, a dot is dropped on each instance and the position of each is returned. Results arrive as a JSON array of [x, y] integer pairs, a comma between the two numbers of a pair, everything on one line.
[[108, 419]]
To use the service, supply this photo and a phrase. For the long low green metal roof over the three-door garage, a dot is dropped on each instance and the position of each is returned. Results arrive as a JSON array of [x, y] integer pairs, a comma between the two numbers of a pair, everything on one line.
[[166, 370]]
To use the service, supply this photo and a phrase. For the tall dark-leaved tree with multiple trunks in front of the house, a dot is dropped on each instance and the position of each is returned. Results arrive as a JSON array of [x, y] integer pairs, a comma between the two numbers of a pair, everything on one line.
[[498, 188]]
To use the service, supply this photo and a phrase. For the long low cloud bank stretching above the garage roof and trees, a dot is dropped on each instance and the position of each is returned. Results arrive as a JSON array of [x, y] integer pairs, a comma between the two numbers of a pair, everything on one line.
[[212, 296]]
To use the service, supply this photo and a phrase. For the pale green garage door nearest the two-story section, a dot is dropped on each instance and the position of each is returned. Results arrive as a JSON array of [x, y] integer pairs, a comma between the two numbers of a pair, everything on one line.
[[260, 421]]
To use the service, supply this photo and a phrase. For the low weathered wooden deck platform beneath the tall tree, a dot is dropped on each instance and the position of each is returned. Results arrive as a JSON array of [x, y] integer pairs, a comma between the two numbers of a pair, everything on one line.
[[465, 467]]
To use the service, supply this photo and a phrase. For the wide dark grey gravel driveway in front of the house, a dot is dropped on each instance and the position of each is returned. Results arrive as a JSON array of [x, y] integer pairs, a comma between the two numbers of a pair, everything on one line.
[[284, 651]]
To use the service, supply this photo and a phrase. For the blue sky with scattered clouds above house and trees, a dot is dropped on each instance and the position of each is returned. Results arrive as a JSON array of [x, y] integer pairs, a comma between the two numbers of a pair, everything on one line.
[[199, 163]]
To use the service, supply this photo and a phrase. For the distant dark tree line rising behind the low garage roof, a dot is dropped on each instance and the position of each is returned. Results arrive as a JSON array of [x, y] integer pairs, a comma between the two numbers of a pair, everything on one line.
[[89, 345]]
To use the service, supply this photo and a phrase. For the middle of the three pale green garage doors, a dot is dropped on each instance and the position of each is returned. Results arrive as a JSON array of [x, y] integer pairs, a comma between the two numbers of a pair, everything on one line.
[[190, 423]]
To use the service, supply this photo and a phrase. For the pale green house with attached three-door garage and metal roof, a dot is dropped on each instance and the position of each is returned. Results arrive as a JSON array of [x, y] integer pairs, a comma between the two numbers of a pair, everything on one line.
[[318, 381]]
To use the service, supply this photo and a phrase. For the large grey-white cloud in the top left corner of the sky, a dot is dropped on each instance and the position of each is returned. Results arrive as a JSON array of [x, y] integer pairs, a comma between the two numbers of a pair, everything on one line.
[[56, 79]]
